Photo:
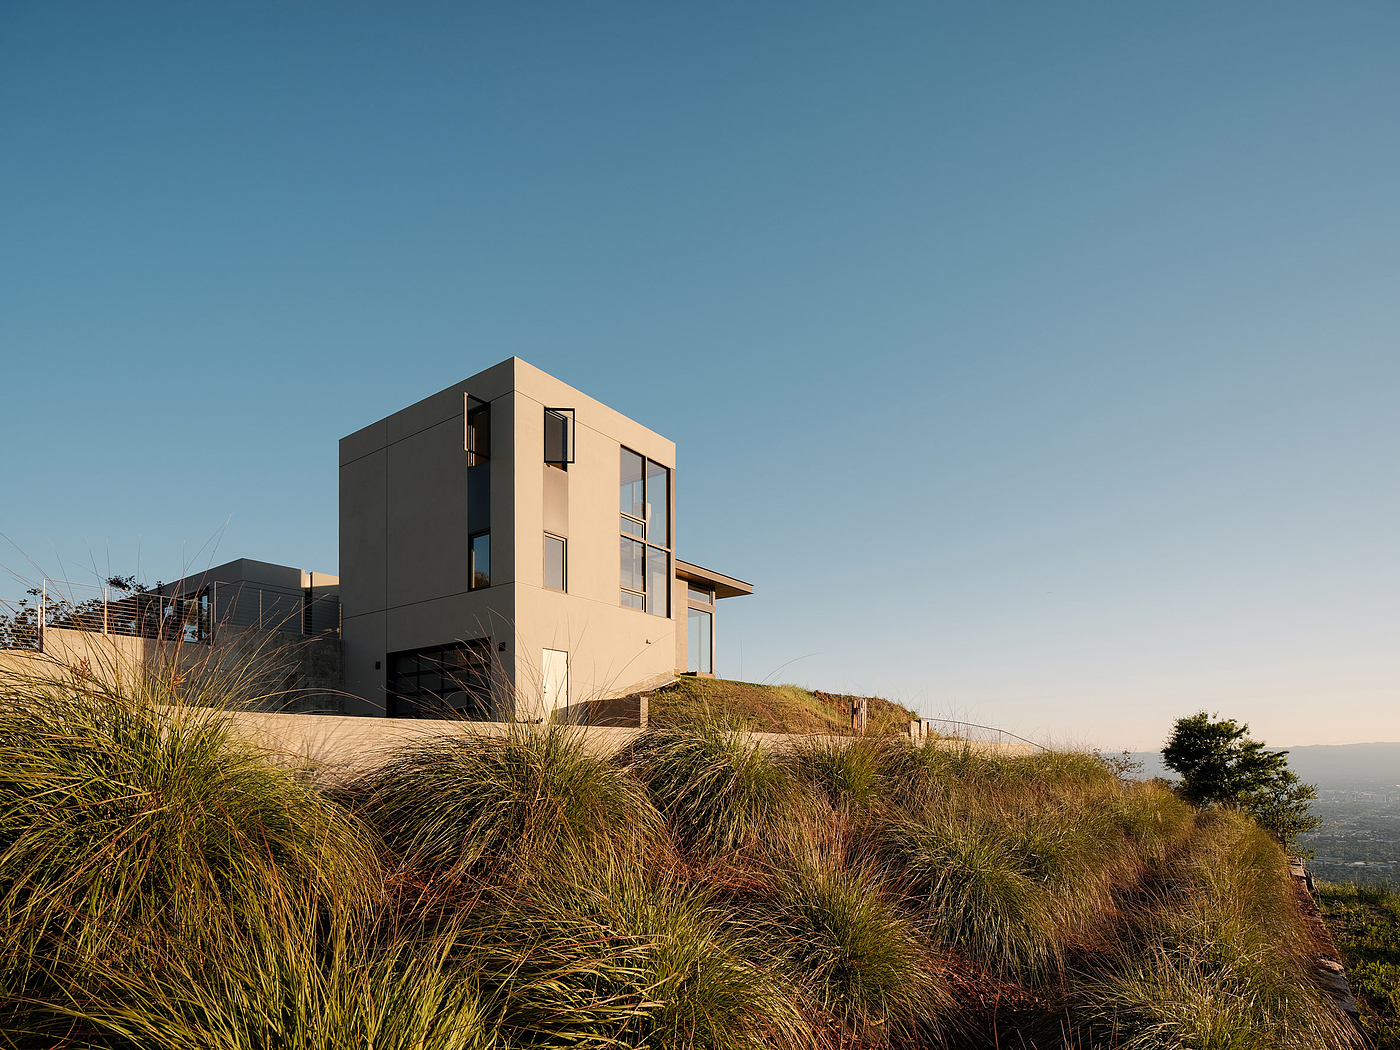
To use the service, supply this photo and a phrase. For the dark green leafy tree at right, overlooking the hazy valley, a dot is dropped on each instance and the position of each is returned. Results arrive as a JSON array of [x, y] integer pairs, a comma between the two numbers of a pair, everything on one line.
[[1220, 765]]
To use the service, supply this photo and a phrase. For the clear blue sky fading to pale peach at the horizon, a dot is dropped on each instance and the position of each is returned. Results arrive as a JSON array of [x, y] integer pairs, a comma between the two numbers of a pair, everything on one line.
[[1039, 365]]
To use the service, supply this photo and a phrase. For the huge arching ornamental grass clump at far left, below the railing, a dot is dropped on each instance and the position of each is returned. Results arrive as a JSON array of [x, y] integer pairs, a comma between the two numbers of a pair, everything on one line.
[[132, 829]]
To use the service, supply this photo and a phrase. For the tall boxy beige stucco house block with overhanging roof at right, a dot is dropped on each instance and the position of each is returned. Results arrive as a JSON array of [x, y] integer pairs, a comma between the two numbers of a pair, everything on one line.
[[509, 549]]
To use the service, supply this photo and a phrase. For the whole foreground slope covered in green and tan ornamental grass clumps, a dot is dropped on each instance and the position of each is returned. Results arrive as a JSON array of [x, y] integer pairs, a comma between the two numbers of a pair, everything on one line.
[[163, 885]]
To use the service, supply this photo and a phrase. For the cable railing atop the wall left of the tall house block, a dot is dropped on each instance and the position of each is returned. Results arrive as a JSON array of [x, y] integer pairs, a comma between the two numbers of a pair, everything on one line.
[[190, 618]]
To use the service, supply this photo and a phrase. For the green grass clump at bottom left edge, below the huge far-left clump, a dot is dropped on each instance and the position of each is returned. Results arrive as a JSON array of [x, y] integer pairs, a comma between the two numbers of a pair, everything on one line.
[[296, 982]]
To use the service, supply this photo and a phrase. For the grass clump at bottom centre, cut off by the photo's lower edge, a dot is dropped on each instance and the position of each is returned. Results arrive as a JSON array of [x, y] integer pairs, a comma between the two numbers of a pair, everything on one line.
[[649, 950]]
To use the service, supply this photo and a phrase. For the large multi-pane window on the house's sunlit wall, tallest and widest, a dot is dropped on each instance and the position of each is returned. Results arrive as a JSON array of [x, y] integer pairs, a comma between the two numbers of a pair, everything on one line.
[[646, 534]]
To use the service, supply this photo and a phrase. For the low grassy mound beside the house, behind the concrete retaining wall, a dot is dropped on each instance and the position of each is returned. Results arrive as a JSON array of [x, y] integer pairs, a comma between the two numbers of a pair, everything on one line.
[[771, 709]]
